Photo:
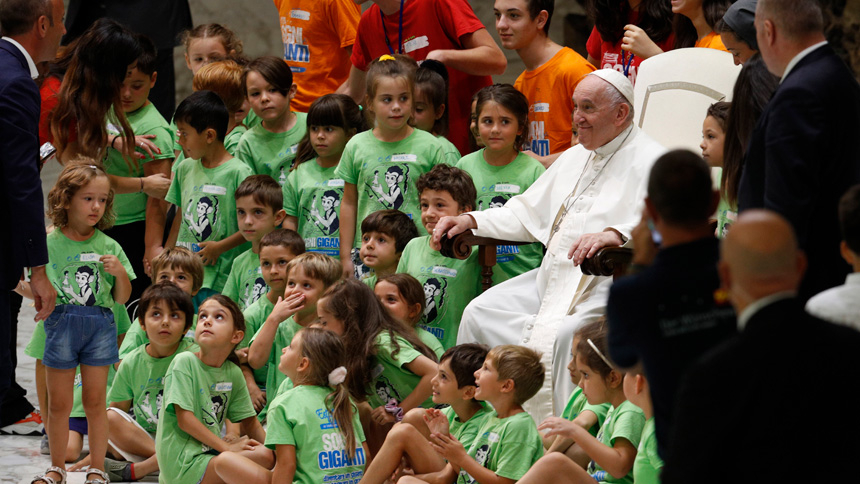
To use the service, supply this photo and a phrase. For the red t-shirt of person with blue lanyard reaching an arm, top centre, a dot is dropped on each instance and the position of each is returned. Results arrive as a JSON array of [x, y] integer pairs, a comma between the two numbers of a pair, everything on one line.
[[427, 25]]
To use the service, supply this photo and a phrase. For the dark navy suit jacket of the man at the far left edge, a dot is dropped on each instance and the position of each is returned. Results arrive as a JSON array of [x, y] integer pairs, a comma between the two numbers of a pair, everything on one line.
[[22, 213]]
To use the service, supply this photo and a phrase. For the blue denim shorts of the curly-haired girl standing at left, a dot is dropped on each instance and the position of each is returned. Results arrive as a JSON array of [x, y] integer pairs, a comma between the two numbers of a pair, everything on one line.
[[80, 335]]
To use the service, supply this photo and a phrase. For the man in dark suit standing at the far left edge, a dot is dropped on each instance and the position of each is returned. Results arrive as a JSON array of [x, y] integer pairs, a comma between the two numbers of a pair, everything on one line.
[[31, 32]]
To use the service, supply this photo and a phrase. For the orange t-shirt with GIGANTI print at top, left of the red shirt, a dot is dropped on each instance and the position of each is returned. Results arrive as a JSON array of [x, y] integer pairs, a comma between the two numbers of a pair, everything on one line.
[[315, 34]]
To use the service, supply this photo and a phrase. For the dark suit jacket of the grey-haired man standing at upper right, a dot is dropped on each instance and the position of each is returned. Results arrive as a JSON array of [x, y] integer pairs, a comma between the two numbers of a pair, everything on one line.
[[803, 156]]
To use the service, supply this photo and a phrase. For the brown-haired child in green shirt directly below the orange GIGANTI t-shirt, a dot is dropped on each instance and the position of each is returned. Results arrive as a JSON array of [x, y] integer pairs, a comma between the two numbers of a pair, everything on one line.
[[270, 148]]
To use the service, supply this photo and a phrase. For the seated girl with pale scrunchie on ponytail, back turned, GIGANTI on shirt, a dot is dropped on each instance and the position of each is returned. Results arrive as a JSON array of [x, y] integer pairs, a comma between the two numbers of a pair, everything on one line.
[[314, 427]]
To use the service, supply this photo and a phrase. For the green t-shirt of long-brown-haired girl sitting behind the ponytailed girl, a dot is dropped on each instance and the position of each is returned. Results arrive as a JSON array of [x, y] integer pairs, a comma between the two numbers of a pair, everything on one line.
[[389, 377]]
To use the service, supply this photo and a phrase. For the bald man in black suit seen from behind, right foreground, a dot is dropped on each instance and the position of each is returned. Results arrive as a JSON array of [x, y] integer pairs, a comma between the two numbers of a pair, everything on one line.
[[773, 404]]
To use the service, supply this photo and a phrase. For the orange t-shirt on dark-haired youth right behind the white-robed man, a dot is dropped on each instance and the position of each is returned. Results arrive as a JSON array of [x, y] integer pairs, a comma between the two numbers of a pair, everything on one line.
[[549, 89]]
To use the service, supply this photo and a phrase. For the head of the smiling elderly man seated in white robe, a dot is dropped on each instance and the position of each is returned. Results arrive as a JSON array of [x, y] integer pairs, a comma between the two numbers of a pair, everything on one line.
[[593, 113]]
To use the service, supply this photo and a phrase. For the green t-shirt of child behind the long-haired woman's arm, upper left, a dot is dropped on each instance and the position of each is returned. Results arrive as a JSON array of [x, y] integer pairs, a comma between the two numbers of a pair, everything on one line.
[[131, 207]]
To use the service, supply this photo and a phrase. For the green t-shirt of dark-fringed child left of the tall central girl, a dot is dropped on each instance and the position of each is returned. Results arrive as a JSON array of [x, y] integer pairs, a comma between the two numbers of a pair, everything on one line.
[[313, 194]]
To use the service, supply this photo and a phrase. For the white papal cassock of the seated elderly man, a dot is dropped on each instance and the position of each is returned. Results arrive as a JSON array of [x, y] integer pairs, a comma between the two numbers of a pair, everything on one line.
[[543, 307]]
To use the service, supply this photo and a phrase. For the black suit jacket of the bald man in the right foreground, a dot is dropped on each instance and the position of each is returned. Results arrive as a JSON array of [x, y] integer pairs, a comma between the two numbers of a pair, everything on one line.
[[777, 403]]
